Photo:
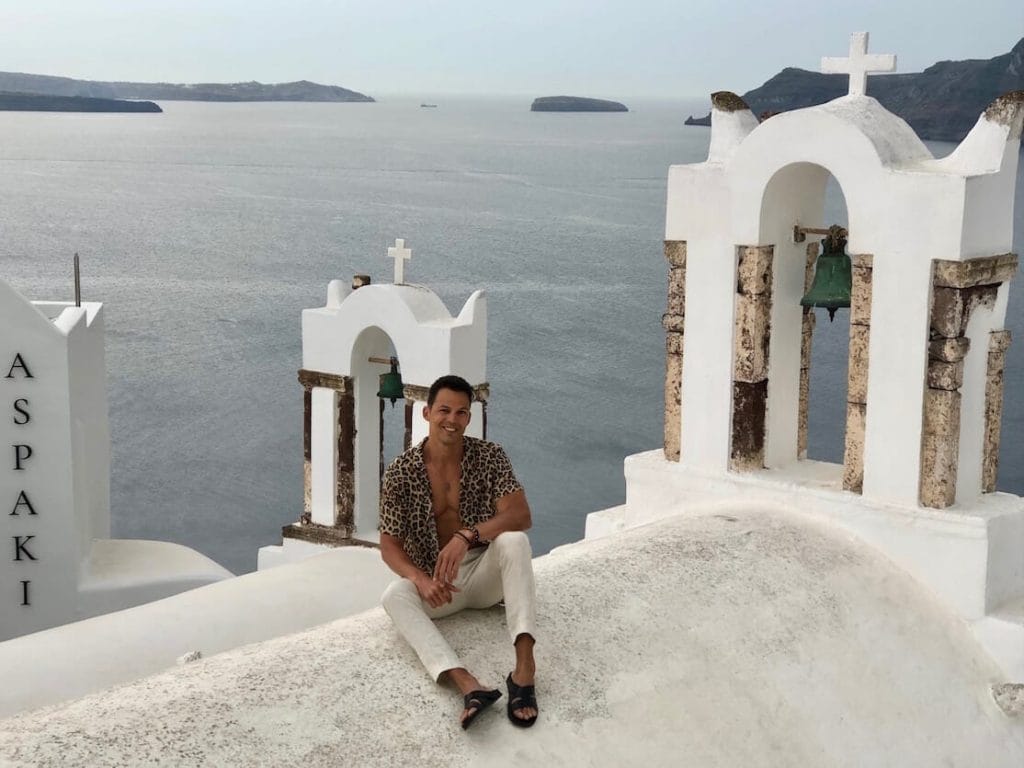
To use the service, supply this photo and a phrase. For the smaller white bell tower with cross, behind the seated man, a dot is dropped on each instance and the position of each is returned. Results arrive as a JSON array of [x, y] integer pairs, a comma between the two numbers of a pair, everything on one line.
[[346, 347]]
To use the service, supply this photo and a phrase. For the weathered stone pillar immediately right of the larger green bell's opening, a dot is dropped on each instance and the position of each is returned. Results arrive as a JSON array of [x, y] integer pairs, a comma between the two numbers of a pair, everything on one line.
[[857, 383]]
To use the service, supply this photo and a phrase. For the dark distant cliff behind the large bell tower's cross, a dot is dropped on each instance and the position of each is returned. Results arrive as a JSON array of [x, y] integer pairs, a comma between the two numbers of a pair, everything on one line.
[[941, 104]]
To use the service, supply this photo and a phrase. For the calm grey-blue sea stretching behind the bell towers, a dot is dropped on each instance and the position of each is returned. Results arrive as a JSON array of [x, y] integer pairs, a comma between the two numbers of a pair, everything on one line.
[[207, 230]]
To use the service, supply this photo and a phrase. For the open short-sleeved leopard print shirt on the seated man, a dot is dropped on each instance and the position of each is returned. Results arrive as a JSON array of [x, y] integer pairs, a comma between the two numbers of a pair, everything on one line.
[[407, 507]]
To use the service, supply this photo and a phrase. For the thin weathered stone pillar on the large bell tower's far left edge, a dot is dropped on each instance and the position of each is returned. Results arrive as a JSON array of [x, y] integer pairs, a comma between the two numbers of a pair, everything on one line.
[[674, 322]]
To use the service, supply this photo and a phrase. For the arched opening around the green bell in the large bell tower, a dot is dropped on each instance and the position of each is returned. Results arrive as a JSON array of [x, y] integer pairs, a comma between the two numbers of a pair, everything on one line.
[[806, 405]]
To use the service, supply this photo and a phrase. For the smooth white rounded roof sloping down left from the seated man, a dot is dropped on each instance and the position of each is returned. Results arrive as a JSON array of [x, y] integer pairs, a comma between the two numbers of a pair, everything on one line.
[[86, 657]]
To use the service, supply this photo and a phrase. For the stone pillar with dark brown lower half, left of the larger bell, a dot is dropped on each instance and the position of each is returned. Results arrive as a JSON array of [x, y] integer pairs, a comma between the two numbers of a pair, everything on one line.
[[753, 332]]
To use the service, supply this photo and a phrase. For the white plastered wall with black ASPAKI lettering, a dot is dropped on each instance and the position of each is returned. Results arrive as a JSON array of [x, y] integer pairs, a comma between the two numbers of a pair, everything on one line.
[[67, 433]]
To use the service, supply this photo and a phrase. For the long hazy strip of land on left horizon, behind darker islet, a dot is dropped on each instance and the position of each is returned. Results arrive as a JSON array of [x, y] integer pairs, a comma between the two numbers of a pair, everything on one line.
[[303, 91]]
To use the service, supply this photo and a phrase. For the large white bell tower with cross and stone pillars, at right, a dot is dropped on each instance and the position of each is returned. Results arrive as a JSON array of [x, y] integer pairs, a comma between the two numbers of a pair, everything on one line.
[[930, 241]]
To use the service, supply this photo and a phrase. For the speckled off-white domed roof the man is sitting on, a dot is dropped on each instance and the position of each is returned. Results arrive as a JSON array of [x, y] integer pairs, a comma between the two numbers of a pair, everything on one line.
[[737, 638]]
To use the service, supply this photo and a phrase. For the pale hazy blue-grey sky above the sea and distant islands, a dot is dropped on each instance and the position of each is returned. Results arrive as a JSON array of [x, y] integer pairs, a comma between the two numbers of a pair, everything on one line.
[[615, 50]]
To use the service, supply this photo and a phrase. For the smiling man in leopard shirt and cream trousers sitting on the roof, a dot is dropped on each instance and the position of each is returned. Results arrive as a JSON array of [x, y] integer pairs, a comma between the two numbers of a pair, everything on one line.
[[452, 522]]
